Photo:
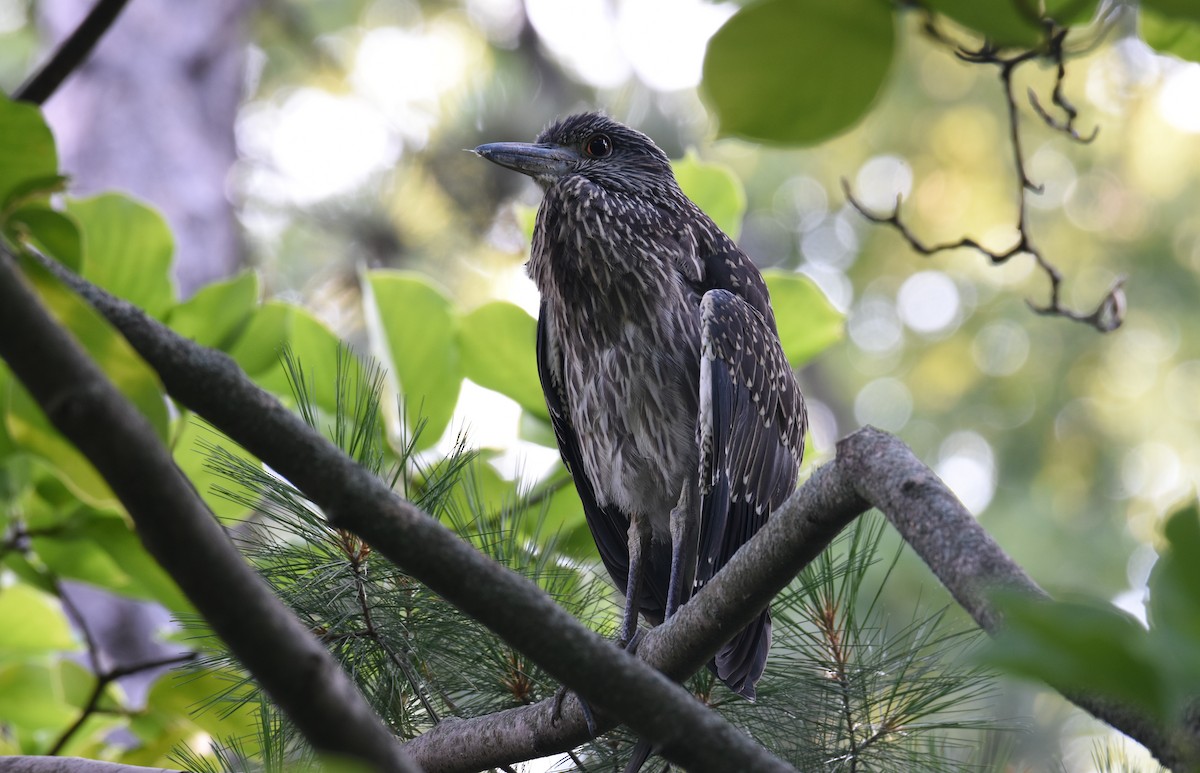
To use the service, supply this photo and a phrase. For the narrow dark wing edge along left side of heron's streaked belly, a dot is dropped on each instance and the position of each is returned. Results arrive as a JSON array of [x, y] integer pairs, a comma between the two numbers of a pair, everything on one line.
[[609, 525]]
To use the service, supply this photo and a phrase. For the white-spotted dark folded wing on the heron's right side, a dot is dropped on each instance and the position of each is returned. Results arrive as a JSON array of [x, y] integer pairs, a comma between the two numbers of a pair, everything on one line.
[[751, 428]]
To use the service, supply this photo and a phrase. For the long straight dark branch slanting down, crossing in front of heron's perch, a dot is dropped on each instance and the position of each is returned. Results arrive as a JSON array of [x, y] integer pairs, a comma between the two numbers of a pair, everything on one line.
[[613, 682]]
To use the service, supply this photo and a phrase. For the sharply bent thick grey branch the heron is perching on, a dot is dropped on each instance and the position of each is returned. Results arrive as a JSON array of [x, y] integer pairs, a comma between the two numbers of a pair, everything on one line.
[[872, 469]]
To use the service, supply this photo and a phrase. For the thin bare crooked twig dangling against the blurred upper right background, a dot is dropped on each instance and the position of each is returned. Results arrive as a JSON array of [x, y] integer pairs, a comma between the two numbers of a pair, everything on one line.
[[1109, 314]]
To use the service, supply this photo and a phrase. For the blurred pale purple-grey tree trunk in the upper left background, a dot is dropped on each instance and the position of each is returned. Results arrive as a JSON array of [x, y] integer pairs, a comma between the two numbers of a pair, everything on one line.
[[152, 113]]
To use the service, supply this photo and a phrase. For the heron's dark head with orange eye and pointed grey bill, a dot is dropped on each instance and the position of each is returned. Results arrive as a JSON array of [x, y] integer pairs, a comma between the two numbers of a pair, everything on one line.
[[607, 153]]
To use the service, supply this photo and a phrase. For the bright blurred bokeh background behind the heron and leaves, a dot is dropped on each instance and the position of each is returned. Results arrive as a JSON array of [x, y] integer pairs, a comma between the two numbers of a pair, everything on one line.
[[310, 140]]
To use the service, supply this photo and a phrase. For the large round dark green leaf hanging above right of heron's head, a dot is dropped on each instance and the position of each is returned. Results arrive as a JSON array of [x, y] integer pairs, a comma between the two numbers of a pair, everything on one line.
[[799, 71]]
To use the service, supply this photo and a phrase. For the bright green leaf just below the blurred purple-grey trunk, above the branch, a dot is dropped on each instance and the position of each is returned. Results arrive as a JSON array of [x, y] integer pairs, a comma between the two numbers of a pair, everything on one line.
[[128, 250]]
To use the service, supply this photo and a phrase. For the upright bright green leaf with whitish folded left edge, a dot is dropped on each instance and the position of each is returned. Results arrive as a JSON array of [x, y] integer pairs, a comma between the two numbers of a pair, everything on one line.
[[412, 326]]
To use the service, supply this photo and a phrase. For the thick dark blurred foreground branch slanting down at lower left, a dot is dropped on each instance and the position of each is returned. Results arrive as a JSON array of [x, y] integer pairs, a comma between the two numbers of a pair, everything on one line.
[[183, 535]]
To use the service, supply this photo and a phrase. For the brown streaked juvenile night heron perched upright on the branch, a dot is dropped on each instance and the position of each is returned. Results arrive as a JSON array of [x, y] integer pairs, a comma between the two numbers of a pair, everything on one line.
[[674, 405]]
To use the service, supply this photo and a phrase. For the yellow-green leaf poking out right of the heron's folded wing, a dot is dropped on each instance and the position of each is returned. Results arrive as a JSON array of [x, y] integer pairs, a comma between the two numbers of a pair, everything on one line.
[[808, 322]]
